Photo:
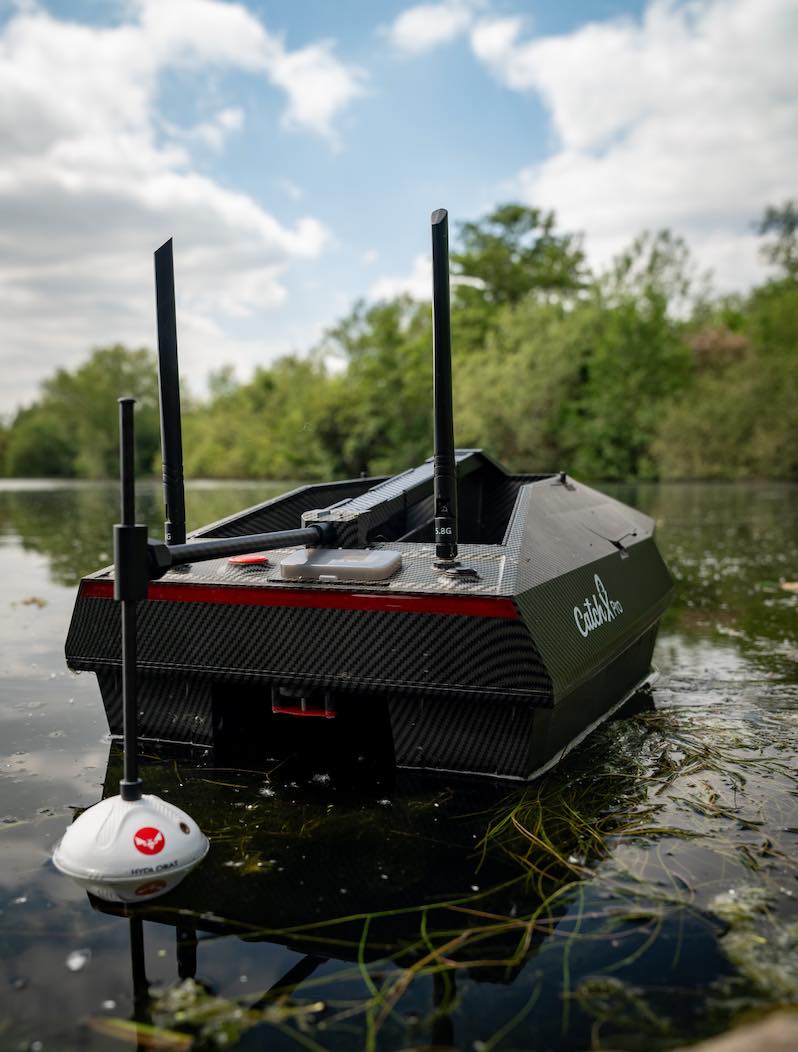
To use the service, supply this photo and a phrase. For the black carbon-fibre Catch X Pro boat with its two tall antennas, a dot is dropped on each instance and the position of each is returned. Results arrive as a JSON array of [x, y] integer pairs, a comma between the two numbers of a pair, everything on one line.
[[453, 618]]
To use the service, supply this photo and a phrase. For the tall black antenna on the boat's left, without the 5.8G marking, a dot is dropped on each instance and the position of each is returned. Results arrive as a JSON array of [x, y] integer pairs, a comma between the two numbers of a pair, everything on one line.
[[172, 442]]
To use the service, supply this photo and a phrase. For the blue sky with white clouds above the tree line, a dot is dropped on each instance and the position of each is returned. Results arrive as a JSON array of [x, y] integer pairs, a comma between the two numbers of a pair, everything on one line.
[[296, 149]]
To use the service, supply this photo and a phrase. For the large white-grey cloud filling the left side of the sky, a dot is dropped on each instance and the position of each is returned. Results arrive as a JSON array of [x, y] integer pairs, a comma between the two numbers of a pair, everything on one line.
[[92, 180]]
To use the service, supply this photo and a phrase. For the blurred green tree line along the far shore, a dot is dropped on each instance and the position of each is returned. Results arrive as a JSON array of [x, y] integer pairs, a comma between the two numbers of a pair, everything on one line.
[[635, 373]]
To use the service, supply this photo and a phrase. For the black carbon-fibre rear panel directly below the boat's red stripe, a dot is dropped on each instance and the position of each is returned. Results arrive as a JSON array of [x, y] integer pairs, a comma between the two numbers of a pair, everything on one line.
[[364, 651]]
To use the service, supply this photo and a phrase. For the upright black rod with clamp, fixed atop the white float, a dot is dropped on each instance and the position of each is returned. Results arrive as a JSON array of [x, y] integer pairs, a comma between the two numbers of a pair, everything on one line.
[[130, 588]]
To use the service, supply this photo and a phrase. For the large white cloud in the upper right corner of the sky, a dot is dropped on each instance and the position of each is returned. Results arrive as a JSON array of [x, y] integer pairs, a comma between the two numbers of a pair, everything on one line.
[[685, 119]]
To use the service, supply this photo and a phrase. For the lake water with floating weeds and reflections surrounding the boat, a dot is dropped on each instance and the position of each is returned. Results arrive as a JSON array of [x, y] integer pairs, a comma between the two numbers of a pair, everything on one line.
[[642, 896]]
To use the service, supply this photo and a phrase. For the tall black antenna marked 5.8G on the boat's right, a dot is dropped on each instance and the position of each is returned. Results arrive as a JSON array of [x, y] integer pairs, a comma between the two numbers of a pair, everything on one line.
[[444, 467]]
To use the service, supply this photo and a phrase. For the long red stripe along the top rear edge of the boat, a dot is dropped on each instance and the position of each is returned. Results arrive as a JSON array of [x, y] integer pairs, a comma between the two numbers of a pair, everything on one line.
[[467, 606]]
